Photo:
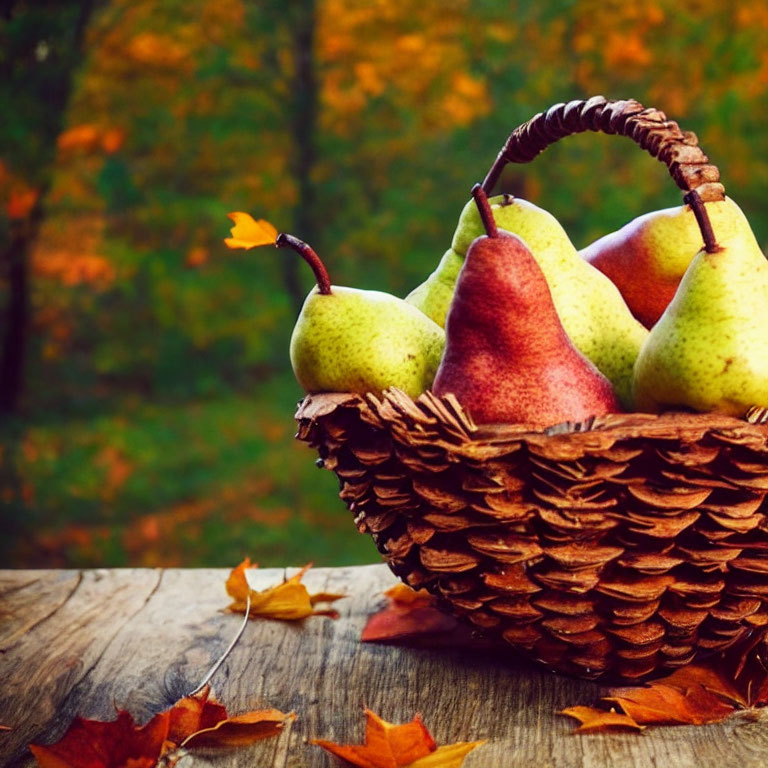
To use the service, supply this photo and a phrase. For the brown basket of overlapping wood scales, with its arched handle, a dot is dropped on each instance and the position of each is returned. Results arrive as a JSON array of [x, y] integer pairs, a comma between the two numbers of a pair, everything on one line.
[[617, 549]]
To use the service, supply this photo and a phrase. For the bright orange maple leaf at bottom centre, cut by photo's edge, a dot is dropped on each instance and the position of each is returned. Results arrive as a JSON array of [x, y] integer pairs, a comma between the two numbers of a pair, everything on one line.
[[395, 746]]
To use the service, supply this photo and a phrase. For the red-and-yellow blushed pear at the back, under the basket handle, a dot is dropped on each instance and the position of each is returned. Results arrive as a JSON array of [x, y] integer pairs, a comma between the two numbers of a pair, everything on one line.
[[646, 258]]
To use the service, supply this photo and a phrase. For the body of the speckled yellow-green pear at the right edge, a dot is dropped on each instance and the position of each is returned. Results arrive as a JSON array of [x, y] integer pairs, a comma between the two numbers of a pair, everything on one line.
[[709, 350]]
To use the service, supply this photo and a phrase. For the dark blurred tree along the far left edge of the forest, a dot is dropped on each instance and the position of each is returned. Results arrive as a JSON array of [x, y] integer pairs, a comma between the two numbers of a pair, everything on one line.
[[40, 49]]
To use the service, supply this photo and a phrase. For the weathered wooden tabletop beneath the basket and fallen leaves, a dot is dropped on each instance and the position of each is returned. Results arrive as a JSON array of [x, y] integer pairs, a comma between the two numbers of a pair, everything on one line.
[[87, 642]]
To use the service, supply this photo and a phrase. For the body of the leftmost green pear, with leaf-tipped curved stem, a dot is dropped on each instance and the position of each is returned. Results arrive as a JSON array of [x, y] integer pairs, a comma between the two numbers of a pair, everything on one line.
[[364, 341]]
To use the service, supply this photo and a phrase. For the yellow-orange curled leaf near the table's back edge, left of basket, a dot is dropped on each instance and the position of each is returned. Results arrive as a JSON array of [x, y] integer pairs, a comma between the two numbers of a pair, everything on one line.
[[289, 601]]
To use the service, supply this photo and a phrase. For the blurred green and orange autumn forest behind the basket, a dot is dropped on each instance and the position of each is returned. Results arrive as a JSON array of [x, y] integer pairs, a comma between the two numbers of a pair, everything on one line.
[[146, 395]]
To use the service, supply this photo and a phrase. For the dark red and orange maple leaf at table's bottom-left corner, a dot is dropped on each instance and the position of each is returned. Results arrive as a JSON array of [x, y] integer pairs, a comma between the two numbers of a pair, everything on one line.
[[194, 721]]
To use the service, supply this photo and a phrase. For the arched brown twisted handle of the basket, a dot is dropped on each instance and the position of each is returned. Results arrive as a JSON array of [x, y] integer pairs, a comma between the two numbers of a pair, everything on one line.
[[650, 128]]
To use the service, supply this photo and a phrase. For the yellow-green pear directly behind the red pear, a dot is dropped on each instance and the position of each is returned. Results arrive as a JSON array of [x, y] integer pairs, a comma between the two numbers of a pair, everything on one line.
[[591, 309]]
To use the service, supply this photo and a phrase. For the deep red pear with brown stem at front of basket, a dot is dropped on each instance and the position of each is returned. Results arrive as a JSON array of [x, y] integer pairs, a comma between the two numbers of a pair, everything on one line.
[[507, 357]]
